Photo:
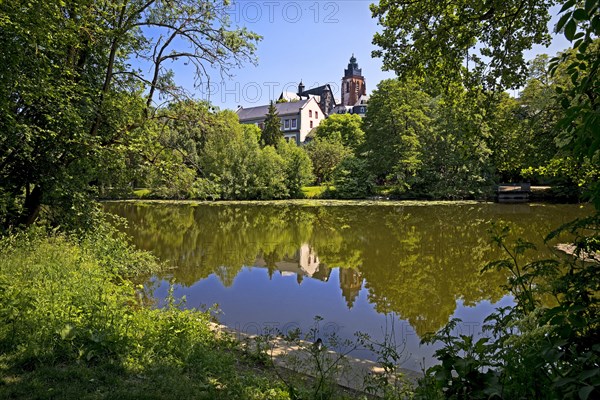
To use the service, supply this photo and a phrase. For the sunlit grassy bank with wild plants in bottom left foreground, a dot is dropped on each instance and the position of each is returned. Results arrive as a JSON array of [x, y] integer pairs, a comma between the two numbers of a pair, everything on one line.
[[72, 327]]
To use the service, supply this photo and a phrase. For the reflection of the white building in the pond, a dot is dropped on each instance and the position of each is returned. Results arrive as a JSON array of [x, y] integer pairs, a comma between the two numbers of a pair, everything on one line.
[[304, 262]]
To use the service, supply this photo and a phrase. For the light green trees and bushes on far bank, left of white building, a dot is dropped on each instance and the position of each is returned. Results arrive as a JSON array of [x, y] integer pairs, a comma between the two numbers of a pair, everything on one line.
[[202, 153]]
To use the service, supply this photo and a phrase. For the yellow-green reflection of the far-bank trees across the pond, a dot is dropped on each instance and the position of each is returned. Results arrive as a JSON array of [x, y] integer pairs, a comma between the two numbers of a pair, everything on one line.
[[417, 261]]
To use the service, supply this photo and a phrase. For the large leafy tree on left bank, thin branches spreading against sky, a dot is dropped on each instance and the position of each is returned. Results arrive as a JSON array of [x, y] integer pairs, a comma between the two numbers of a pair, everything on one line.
[[70, 100]]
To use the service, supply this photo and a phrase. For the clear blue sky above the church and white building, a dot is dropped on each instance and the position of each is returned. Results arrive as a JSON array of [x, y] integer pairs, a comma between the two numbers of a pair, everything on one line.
[[302, 39]]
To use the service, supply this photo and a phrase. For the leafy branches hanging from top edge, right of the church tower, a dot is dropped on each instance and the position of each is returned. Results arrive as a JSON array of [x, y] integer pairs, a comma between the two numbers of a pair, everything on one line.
[[470, 41]]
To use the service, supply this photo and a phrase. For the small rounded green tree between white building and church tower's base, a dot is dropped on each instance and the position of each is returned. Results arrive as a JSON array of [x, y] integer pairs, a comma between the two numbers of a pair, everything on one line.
[[346, 128]]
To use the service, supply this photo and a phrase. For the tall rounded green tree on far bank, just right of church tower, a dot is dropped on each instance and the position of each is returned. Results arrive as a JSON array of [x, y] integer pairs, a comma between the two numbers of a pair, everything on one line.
[[396, 119]]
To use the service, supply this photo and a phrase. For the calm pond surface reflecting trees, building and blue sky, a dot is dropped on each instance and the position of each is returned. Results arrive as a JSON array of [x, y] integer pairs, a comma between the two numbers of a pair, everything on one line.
[[362, 267]]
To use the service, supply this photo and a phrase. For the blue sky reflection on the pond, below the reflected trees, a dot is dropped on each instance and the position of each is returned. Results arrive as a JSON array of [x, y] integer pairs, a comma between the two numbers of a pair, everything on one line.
[[254, 302]]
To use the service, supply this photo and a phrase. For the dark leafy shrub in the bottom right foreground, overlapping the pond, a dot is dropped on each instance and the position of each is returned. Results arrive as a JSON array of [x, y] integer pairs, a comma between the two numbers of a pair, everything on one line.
[[532, 351]]
